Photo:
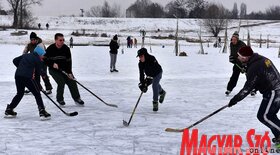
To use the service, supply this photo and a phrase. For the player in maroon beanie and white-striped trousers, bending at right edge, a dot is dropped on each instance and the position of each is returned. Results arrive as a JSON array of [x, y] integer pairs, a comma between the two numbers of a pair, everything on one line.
[[263, 76]]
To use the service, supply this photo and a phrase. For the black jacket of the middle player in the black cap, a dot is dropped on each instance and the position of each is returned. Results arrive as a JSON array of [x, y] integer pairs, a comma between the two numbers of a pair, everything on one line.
[[150, 67]]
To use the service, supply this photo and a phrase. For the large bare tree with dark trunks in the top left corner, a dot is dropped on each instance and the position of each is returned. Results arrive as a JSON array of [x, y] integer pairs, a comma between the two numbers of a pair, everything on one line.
[[18, 8]]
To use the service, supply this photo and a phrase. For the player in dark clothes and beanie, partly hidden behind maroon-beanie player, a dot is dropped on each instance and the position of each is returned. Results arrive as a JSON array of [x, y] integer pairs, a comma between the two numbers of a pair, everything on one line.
[[235, 45]]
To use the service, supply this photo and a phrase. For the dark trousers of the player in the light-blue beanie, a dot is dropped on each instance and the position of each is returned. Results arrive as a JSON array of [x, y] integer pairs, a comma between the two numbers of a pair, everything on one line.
[[21, 83]]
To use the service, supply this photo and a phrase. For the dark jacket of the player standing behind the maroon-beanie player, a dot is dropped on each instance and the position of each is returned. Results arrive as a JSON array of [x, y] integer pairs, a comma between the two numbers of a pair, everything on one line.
[[233, 52]]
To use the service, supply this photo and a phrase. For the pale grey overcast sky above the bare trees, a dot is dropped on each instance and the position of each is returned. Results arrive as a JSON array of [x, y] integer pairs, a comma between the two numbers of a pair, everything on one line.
[[72, 7]]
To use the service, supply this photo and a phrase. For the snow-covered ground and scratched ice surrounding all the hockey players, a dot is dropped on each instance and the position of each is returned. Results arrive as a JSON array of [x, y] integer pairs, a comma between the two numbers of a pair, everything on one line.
[[195, 87]]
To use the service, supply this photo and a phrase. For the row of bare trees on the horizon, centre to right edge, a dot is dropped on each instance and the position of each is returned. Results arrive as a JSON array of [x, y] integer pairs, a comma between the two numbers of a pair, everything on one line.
[[182, 9]]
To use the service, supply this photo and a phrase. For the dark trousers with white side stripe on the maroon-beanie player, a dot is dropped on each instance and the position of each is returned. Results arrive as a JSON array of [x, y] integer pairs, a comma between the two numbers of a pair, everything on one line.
[[268, 110]]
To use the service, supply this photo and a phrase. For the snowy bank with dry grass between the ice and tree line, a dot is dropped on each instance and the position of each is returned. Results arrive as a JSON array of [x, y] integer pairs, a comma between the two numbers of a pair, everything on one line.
[[188, 28]]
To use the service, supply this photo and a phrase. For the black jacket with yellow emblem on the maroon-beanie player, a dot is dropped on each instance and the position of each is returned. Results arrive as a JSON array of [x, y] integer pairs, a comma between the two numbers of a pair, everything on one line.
[[261, 75]]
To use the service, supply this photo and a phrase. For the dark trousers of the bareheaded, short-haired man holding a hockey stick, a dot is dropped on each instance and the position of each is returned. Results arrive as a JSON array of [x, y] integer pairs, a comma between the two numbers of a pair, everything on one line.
[[61, 80]]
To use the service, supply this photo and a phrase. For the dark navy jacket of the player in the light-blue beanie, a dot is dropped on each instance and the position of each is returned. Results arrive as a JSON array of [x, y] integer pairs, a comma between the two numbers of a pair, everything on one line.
[[28, 65]]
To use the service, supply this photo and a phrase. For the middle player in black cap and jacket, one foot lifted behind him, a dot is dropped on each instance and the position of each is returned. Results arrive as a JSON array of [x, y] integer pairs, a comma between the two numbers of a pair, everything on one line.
[[149, 66]]
